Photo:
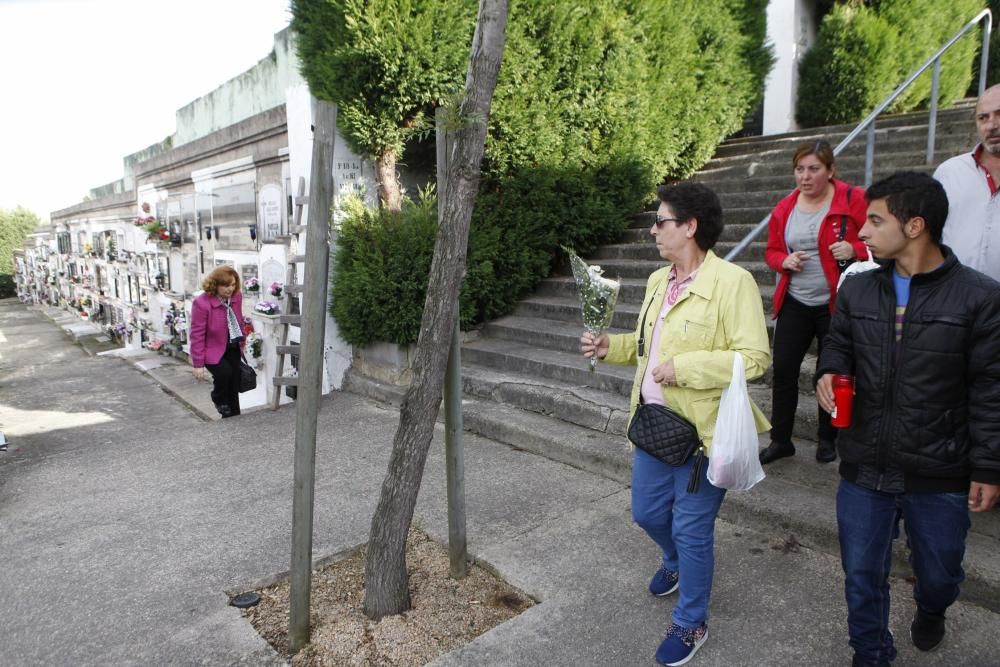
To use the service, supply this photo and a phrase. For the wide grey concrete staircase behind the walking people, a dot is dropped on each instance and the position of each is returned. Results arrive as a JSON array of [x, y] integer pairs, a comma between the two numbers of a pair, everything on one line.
[[526, 384]]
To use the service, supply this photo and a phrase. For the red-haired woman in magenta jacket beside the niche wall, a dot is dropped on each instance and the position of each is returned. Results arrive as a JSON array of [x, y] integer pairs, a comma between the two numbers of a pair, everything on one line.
[[217, 337]]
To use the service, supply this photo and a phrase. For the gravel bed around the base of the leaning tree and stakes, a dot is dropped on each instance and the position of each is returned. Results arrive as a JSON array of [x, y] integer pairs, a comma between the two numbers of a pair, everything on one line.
[[445, 613]]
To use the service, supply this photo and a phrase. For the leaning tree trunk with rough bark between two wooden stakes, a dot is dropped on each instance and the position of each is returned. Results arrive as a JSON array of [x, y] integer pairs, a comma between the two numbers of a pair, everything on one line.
[[386, 586]]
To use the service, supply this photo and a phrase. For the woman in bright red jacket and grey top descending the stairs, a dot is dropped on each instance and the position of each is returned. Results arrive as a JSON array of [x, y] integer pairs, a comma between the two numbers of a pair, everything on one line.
[[812, 236]]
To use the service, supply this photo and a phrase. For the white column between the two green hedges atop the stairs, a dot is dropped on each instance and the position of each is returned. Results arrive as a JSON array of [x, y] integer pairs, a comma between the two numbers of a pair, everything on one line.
[[790, 31]]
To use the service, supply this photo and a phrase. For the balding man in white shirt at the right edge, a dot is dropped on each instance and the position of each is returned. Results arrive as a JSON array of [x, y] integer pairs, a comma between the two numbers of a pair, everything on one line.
[[971, 180]]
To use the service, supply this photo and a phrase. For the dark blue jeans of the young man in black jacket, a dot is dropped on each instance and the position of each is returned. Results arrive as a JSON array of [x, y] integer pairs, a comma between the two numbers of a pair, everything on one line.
[[868, 522]]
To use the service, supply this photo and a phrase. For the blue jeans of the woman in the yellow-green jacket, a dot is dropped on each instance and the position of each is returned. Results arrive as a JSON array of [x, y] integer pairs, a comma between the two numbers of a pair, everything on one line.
[[682, 524]]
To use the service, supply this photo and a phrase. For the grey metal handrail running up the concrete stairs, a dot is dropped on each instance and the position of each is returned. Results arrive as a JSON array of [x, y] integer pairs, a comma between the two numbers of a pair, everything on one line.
[[869, 122]]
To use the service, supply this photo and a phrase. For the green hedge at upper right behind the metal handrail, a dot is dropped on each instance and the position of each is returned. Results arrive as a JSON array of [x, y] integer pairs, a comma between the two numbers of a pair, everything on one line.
[[862, 53]]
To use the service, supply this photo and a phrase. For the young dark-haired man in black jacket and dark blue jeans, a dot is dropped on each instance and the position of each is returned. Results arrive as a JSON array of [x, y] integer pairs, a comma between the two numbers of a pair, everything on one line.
[[921, 336]]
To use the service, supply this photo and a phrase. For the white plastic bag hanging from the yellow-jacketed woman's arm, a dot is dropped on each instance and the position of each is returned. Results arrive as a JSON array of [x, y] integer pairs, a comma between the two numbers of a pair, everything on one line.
[[733, 462]]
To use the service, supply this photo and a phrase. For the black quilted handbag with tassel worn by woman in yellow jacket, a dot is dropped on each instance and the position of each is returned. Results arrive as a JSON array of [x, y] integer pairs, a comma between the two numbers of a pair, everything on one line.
[[667, 437]]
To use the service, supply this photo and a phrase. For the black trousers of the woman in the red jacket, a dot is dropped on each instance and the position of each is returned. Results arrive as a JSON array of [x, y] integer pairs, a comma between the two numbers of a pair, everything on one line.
[[797, 325]]
